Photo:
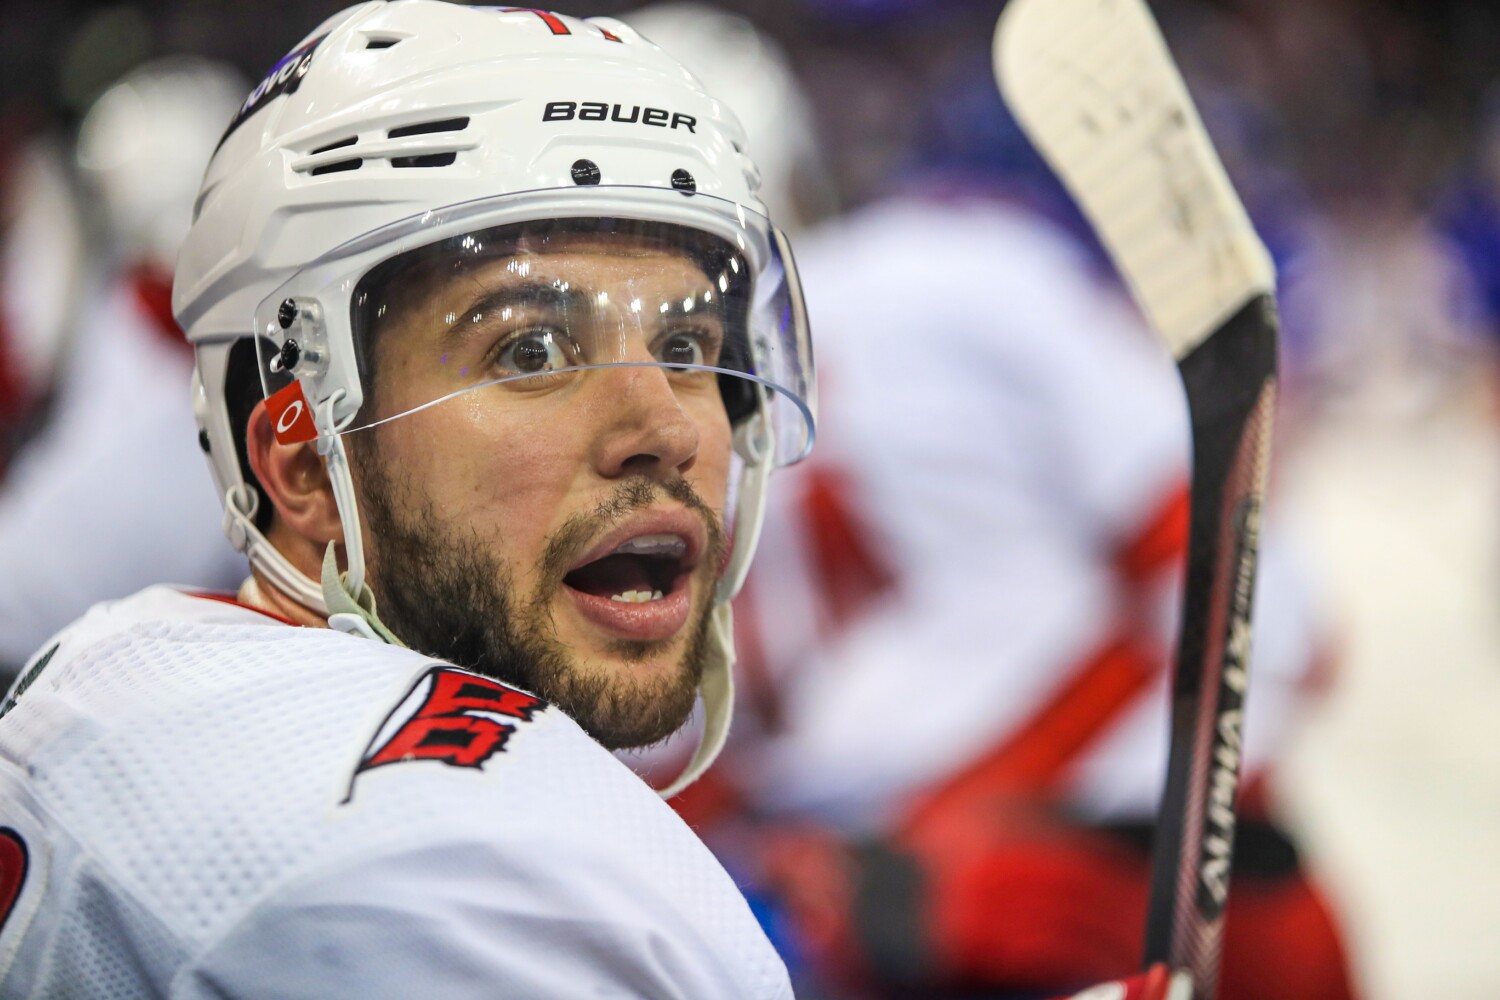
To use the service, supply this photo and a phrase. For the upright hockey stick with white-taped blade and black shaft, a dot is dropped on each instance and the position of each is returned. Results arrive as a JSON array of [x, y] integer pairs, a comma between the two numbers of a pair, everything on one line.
[[1093, 85]]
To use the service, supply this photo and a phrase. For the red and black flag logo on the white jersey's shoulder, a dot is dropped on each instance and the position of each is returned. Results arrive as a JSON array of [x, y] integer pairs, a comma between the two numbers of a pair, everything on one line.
[[451, 716]]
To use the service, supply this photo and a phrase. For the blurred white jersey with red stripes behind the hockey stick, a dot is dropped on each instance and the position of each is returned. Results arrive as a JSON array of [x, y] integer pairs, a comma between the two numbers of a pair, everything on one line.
[[979, 554]]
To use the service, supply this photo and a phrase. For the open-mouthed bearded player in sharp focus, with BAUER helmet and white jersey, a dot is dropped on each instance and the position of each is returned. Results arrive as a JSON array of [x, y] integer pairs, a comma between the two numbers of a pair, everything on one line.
[[488, 325]]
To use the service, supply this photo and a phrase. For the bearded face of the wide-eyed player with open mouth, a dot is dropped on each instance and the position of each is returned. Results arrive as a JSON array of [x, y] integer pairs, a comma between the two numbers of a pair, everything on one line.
[[560, 531]]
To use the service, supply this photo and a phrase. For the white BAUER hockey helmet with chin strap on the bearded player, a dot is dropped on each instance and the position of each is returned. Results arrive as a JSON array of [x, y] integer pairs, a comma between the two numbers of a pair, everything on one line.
[[397, 128]]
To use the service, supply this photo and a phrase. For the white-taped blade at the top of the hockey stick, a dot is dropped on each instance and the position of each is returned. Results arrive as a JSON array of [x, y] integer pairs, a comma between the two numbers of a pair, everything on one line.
[[1097, 92]]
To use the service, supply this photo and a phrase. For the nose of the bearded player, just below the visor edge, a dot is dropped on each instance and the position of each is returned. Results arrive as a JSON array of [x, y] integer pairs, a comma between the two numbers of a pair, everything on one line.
[[647, 430]]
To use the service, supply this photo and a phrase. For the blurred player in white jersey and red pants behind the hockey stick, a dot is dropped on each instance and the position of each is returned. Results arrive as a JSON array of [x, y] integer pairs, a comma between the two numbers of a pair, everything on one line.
[[959, 633]]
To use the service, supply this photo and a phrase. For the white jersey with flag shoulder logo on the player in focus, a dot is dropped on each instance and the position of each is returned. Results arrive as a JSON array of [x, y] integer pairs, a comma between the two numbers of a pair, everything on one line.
[[200, 801]]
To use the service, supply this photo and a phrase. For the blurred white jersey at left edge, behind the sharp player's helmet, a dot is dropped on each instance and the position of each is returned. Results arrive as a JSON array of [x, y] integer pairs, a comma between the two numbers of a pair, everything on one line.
[[112, 497]]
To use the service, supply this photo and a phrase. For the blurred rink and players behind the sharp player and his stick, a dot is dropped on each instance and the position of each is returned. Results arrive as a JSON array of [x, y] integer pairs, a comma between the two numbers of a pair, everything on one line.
[[967, 597]]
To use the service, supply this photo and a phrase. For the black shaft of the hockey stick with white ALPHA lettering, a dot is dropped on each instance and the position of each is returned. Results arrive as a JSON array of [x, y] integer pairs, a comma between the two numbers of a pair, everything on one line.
[[1231, 389]]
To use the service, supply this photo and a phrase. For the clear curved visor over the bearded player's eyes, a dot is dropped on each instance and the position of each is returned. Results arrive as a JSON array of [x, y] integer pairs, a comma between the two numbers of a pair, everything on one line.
[[703, 314]]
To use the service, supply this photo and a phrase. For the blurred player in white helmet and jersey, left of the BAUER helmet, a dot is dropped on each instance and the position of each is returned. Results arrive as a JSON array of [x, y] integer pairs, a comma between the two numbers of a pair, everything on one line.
[[110, 496]]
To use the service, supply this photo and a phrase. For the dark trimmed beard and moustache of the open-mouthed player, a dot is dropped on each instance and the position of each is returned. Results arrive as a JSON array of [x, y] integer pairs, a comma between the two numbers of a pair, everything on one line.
[[445, 594]]
